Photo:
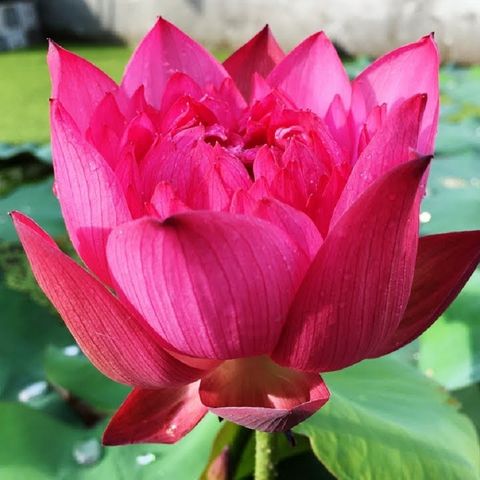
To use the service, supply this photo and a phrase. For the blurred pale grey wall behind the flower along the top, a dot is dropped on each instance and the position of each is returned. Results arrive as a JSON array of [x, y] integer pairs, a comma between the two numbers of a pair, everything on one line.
[[368, 27]]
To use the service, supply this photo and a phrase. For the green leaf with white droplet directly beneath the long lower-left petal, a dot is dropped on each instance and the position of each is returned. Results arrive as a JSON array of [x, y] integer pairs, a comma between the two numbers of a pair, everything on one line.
[[69, 369]]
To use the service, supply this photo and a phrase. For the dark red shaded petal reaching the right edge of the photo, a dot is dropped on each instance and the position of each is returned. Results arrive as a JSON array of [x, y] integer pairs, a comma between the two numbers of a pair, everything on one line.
[[444, 264]]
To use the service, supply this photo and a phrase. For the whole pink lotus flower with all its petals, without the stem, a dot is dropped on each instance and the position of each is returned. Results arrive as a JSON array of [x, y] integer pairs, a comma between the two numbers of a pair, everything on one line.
[[244, 226]]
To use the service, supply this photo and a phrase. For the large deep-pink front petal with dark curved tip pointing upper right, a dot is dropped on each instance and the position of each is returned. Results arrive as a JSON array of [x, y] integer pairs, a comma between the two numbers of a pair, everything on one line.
[[356, 291]]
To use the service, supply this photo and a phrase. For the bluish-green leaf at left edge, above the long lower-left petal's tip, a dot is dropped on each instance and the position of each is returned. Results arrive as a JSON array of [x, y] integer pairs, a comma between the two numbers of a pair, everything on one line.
[[37, 201]]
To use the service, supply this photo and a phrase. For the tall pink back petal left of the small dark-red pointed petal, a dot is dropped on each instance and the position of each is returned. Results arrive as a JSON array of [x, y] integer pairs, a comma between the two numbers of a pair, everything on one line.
[[164, 51]]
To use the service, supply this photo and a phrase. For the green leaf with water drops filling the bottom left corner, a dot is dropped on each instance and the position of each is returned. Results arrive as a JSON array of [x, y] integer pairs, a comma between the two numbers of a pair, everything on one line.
[[38, 447]]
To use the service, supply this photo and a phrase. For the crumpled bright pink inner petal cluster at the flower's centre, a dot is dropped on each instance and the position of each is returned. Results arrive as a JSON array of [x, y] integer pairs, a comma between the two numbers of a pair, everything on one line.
[[205, 147]]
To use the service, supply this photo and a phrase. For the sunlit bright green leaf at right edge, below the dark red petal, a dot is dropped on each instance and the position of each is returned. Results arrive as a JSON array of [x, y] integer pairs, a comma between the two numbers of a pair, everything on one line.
[[450, 350]]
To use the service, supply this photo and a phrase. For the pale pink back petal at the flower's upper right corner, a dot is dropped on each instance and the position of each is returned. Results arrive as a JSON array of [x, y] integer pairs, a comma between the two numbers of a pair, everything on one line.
[[407, 71]]
